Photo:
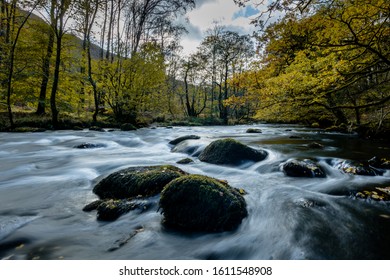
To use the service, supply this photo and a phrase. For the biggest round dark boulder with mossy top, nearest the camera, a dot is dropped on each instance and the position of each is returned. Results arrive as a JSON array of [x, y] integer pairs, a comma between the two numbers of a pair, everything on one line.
[[200, 203]]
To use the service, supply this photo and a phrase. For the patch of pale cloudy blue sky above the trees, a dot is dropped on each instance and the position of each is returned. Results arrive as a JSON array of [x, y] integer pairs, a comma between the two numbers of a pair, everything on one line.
[[207, 12]]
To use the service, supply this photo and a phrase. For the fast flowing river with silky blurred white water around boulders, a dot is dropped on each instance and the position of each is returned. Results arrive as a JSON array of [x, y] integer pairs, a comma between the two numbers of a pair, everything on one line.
[[45, 182]]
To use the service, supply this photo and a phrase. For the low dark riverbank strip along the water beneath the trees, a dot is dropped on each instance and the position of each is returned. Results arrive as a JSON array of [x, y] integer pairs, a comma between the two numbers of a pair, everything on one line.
[[31, 122]]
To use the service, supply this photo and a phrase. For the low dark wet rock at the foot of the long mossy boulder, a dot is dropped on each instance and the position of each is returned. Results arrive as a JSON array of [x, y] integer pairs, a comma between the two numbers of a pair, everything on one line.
[[112, 209]]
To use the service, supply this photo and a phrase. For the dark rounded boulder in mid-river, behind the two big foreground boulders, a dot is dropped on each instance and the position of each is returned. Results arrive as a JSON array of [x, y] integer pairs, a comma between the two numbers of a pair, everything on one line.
[[230, 151]]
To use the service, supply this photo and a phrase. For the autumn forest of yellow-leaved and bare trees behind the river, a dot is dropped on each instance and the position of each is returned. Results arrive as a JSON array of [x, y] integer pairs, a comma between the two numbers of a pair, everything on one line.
[[112, 62]]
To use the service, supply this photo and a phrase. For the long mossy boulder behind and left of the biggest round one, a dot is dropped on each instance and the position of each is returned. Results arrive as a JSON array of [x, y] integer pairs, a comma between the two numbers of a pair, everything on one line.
[[137, 181]]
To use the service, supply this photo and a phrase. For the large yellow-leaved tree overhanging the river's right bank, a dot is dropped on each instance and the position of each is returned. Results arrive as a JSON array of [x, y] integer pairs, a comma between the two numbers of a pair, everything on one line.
[[332, 55]]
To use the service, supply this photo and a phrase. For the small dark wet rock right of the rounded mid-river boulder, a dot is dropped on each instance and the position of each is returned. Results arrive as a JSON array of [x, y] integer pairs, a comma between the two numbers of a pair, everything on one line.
[[303, 168]]
